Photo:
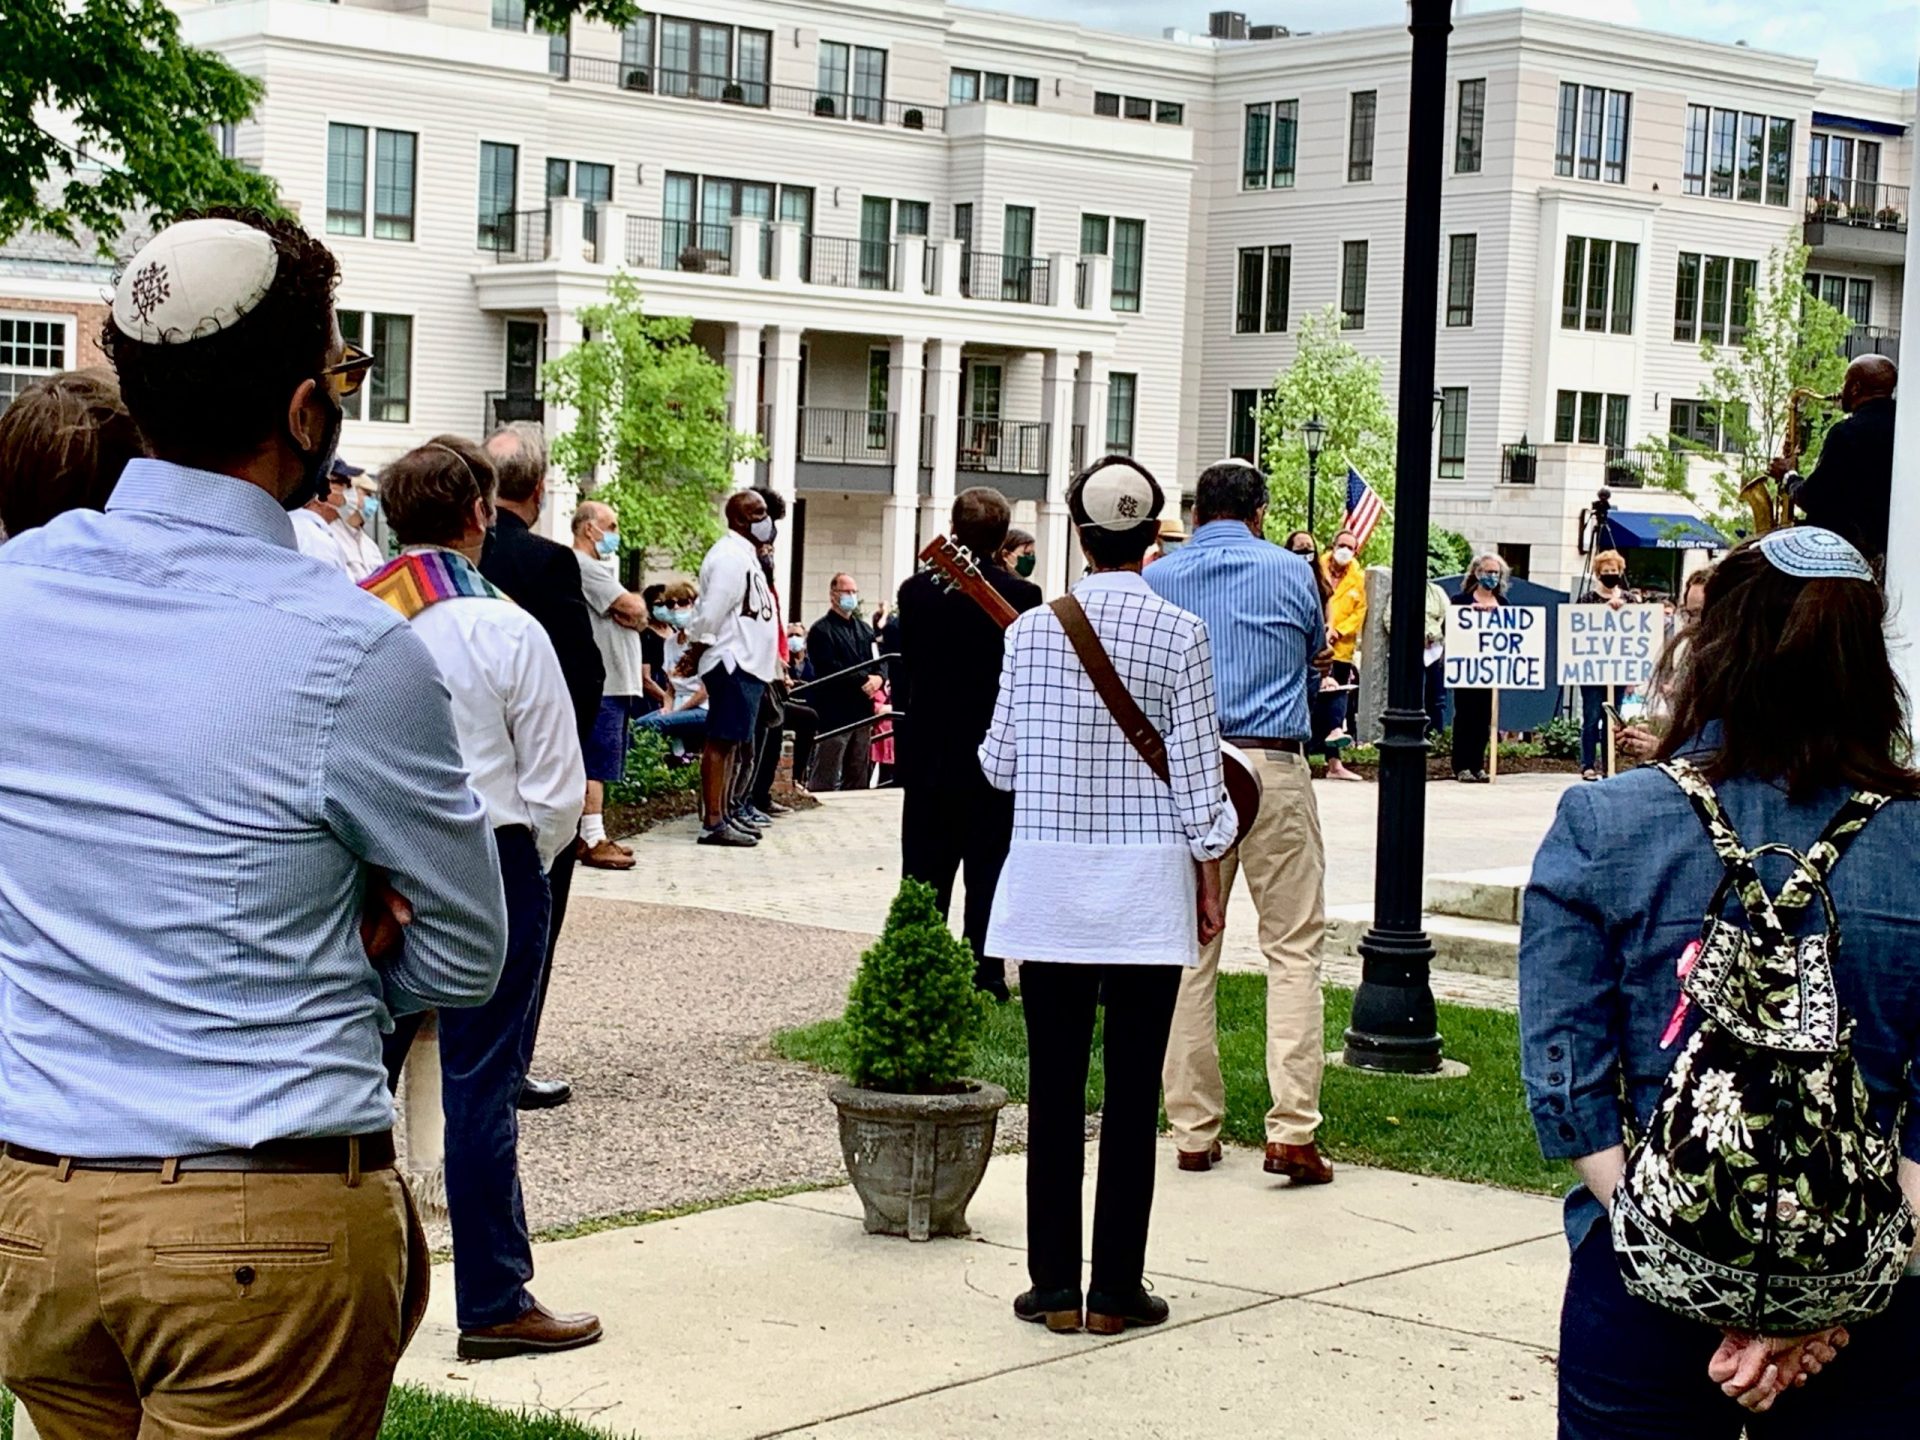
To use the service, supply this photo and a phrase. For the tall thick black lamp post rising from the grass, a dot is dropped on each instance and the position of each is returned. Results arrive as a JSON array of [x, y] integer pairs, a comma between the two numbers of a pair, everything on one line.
[[1395, 1022]]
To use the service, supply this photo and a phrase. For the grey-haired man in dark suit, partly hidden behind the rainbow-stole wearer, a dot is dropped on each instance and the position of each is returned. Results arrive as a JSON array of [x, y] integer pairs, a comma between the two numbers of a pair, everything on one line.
[[544, 581]]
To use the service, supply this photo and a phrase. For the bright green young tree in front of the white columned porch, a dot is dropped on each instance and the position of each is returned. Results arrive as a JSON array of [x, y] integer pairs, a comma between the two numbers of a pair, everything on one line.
[[654, 408]]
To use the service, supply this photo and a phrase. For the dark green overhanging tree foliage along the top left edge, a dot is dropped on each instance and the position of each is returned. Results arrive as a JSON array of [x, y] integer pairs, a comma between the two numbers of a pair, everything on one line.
[[114, 82]]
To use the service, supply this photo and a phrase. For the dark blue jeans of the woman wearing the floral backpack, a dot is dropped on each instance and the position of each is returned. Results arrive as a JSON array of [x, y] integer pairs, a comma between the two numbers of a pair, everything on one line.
[[1633, 1372]]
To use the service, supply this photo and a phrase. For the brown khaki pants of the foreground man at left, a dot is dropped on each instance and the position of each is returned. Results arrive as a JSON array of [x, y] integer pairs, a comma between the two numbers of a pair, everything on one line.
[[224, 1305]]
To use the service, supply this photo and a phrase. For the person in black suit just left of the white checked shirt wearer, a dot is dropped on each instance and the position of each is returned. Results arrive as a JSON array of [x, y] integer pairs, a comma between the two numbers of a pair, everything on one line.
[[948, 683]]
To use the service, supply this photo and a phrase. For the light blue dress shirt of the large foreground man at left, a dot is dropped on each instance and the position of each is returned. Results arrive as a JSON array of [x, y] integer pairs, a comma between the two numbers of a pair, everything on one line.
[[204, 740]]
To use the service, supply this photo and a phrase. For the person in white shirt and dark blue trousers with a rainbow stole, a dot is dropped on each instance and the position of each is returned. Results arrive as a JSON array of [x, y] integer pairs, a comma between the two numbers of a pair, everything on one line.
[[517, 740]]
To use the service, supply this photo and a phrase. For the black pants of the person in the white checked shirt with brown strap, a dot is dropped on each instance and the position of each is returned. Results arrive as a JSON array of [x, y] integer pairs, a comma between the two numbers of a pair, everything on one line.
[[1061, 1003]]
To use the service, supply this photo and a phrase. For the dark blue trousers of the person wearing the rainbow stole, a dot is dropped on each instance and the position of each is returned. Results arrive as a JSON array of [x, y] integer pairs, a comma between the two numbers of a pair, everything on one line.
[[483, 1065]]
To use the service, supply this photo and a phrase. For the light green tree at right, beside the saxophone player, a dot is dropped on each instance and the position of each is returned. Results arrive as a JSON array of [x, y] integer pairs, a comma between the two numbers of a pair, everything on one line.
[[1794, 343]]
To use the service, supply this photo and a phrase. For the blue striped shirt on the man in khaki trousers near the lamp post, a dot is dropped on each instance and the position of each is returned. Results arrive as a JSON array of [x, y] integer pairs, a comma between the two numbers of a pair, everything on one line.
[[1264, 617]]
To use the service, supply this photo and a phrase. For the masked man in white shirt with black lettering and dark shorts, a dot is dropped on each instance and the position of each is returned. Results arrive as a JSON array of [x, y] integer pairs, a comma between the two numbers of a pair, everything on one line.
[[736, 652]]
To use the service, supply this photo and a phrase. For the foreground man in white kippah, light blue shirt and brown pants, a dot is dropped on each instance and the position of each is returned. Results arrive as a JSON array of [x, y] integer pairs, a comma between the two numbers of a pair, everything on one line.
[[204, 1232]]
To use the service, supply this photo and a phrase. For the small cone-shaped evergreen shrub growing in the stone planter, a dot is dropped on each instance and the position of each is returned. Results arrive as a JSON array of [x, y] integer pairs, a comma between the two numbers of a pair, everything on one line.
[[913, 1015]]
